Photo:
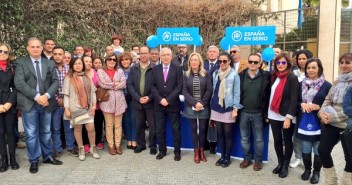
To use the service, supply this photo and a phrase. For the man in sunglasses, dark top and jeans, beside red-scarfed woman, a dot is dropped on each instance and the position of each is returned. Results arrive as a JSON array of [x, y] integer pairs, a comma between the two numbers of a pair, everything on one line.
[[255, 95]]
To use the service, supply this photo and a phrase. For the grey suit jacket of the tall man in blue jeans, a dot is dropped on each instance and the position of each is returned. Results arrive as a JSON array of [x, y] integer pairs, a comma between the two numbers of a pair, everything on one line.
[[26, 83]]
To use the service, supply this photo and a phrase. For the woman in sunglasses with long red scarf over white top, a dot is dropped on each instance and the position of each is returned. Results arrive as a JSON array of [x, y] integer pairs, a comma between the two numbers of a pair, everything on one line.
[[282, 109]]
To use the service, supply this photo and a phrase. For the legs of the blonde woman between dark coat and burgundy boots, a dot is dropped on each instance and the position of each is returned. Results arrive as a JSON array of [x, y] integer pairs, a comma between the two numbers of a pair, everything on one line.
[[198, 132]]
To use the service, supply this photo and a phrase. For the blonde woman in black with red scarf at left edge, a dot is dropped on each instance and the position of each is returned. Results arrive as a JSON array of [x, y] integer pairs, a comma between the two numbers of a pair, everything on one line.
[[8, 112]]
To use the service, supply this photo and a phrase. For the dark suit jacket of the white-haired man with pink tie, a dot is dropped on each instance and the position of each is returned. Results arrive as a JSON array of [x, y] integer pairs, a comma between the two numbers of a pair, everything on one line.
[[170, 90]]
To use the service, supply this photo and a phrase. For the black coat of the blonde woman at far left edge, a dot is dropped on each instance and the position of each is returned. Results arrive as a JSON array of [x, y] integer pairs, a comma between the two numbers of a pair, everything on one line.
[[8, 90]]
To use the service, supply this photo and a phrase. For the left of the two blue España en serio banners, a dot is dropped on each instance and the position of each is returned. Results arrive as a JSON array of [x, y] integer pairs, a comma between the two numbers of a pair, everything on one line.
[[185, 35]]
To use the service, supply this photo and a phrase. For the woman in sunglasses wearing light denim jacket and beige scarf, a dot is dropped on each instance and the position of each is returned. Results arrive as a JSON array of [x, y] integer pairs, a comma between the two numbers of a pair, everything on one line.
[[225, 104]]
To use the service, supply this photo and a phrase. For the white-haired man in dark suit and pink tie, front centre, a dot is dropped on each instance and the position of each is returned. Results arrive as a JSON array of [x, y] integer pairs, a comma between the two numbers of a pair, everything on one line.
[[166, 87]]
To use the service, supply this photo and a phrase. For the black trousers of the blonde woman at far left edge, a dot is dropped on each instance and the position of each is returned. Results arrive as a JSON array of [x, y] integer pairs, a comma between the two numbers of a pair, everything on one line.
[[7, 132]]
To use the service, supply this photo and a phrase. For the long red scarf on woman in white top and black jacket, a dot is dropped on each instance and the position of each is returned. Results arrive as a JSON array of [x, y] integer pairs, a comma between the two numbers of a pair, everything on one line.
[[276, 101]]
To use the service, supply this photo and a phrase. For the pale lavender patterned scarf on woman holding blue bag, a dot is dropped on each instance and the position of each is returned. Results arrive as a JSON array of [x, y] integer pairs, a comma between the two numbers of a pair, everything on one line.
[[310, 88]]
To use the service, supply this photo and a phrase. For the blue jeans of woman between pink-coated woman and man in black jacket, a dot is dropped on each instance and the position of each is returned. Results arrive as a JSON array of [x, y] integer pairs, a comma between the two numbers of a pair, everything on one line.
[[129, 123]]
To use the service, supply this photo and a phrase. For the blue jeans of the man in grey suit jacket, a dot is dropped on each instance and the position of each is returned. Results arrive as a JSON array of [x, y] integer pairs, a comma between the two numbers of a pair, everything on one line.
[[37, 124]]
